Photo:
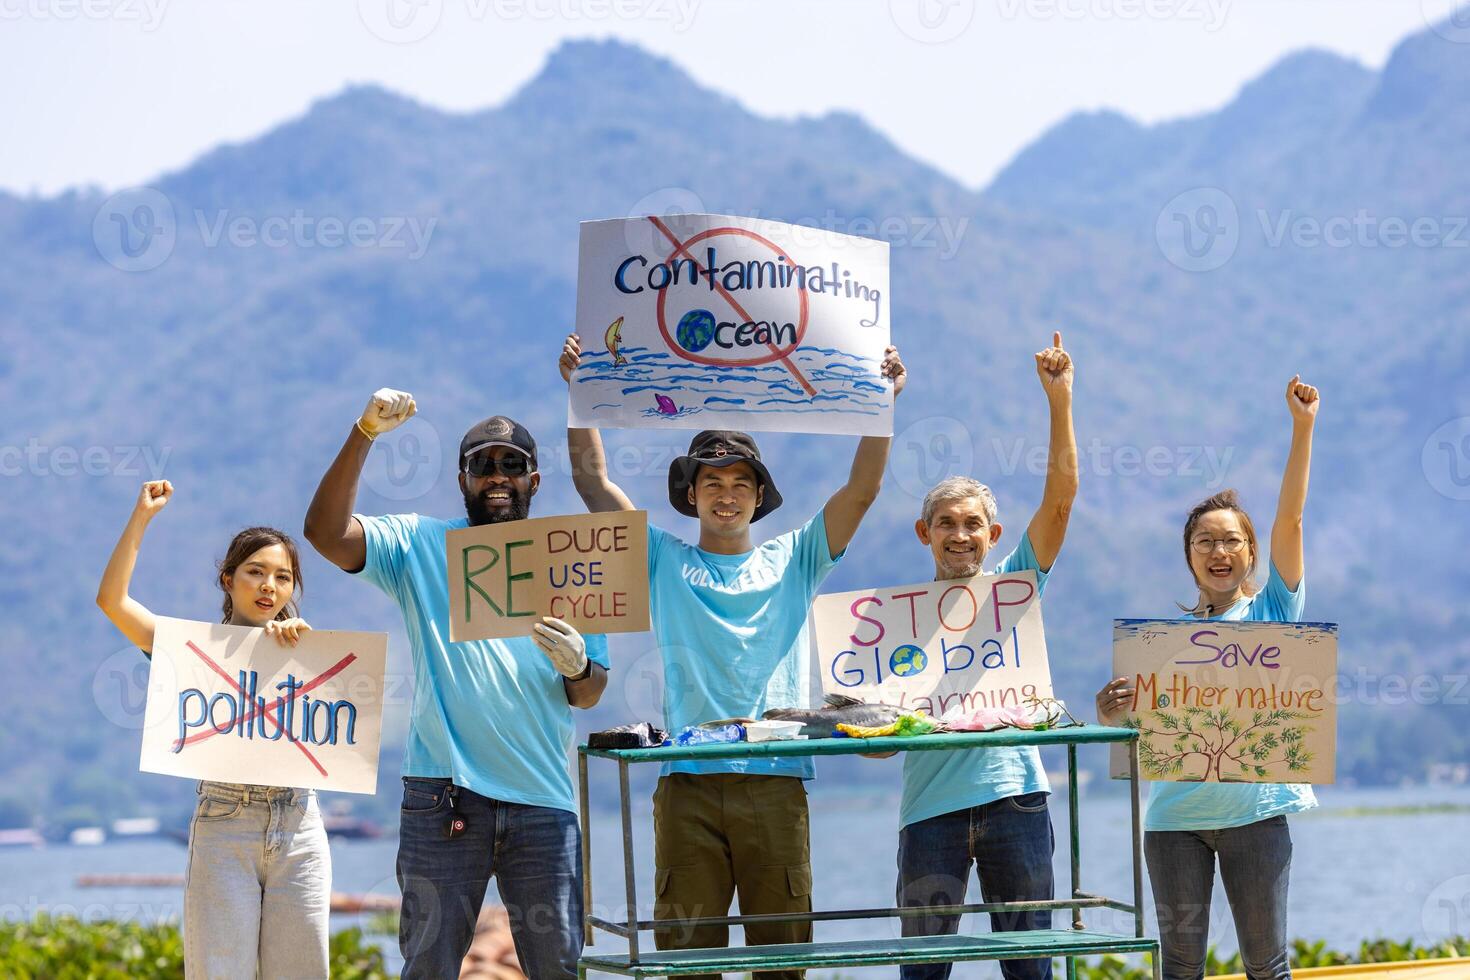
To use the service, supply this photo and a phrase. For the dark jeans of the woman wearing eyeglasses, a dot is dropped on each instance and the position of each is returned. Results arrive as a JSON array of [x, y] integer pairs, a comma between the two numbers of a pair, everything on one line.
[[1255, 865]]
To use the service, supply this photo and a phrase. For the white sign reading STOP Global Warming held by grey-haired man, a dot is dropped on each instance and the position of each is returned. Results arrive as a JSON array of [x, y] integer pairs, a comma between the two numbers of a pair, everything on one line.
[[962, 644]]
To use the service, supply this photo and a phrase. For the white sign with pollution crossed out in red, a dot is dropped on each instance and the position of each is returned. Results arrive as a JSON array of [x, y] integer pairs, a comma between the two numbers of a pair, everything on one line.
[[232, 705]]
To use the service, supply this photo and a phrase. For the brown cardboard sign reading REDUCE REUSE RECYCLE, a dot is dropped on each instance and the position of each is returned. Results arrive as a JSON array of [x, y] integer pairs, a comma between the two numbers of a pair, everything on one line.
[[590, 571]]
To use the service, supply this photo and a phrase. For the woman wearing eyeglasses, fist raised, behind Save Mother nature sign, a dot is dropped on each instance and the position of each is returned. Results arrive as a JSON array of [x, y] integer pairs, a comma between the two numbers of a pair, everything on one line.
[[1241, 826]]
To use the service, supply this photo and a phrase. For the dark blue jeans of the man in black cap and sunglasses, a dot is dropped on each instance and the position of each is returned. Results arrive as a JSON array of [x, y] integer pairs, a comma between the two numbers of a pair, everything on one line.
[[536, 856]]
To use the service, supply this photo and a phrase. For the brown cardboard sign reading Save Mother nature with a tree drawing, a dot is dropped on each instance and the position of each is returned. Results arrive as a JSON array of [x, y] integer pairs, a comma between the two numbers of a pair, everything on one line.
[[1230, 703]]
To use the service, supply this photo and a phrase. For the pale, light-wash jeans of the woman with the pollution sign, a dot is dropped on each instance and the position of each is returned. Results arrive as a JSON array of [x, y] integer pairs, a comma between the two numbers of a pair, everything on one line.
[[258, 890]]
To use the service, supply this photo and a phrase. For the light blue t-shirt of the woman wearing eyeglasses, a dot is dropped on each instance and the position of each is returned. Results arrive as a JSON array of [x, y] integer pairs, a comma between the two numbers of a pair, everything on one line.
[[1224, 806]]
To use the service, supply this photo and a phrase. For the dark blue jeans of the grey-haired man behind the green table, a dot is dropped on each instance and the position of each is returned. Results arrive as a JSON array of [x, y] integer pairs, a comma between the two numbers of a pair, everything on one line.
[[1009, 843]]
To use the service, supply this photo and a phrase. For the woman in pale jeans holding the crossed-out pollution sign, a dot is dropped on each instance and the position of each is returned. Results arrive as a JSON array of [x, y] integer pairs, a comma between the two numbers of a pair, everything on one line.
[[257, 894]]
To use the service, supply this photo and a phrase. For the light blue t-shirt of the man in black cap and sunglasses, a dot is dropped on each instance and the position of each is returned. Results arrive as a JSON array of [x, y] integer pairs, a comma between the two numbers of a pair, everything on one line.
[[490, 715]]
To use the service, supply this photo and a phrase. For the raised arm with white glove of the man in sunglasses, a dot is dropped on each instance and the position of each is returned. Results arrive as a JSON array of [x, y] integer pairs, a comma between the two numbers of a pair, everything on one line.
[[330, 524]]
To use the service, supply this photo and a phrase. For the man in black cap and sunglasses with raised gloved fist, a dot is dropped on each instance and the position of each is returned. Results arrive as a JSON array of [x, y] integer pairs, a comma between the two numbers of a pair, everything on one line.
[[487, 790]]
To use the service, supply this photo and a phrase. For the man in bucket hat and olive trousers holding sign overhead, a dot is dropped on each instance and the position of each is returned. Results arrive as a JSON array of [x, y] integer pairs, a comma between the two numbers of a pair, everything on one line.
[[730, 621]]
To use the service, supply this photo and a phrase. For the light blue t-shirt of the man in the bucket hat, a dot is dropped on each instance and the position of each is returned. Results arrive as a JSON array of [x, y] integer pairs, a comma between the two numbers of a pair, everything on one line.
[[733, 634]]
